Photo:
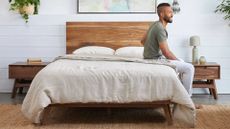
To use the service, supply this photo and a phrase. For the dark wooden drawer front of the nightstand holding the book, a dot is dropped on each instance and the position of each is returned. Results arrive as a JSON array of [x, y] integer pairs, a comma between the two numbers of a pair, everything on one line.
[[23, 72]]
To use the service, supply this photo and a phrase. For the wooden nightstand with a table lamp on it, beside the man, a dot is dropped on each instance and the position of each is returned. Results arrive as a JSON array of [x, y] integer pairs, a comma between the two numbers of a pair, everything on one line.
[[205, 75]]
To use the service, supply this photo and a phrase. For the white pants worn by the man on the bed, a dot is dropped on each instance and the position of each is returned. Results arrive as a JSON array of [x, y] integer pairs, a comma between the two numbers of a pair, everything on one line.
[[186, 73]]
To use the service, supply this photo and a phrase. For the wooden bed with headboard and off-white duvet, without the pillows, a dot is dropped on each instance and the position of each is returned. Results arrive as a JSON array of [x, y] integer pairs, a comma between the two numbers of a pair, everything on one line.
[[48, 89]]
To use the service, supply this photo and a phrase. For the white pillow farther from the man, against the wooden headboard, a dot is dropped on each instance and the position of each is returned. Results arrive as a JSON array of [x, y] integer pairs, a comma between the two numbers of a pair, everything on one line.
[[94, 50]]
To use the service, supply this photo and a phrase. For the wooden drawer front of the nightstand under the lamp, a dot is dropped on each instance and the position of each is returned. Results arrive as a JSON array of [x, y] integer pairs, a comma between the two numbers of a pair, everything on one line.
[[207, 72]]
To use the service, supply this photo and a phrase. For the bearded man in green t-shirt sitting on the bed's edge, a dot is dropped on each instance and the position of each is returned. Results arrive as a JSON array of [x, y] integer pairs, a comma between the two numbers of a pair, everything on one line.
[[156, 46]]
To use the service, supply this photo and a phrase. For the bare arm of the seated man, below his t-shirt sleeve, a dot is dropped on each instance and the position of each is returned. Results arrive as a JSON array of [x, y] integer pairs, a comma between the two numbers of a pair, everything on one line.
[[166, 52]]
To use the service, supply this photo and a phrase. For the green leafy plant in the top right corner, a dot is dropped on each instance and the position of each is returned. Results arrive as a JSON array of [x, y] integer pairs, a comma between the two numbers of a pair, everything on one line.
[[224, 7]]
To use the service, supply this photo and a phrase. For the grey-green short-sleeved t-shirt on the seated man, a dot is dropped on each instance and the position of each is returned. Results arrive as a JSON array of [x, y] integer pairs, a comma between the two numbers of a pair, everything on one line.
[[155, 35]]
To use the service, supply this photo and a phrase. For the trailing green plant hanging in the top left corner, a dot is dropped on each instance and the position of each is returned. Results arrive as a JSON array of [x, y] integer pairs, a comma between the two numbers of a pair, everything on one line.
[[25, 7]]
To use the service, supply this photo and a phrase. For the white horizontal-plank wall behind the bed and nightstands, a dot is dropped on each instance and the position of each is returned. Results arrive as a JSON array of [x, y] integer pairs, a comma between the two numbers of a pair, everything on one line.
[[44, 35]]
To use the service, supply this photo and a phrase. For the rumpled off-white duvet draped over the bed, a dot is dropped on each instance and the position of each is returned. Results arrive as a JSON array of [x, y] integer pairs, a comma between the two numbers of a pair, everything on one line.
[[85, 79]]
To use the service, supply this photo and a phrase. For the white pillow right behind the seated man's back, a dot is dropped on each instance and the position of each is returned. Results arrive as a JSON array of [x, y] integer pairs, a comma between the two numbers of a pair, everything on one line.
[[135, 52]]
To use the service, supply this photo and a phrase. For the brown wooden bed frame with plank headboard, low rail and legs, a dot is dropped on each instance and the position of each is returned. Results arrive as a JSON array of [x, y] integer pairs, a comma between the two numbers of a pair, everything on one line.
[[113, 35]]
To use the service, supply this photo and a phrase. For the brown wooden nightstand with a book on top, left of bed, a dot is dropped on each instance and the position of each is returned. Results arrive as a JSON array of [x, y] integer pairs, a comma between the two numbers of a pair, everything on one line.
[[23, 73]]
